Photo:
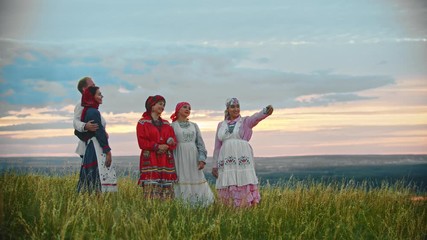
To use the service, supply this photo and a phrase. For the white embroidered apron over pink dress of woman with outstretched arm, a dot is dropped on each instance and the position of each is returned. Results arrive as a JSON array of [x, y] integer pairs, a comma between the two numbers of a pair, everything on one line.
[[235, 159]]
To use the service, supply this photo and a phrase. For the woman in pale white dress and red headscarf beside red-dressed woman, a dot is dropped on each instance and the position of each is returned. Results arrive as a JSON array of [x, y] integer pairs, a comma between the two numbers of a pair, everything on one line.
[[190, 159]]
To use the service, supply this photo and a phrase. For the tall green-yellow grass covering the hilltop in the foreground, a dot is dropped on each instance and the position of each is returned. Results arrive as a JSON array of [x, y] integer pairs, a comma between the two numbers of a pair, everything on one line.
[[48, 207]]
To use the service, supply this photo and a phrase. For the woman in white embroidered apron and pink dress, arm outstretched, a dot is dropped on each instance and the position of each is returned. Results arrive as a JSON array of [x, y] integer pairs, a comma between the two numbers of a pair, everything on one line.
[[234, 167]]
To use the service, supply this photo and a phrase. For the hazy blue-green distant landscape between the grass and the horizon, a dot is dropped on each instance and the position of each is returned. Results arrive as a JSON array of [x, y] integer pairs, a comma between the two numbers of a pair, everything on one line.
[[410, 169]]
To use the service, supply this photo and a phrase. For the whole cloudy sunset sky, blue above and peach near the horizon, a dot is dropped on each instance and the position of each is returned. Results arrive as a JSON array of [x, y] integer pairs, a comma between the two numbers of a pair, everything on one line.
[[344, 77]]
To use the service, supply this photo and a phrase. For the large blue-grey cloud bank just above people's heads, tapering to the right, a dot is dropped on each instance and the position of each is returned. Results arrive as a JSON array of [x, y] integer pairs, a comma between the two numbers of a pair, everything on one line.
[[204, 76]]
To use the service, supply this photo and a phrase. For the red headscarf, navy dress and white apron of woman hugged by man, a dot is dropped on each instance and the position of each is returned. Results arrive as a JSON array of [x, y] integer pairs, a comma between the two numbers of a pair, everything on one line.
[[94, 175]]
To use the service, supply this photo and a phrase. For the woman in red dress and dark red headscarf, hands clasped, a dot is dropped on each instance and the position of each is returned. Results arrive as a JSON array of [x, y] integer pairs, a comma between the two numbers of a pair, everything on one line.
[[157, 141]]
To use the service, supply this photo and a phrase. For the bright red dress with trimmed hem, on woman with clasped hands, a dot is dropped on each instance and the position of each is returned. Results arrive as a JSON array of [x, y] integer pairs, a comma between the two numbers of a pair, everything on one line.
[[158, 169]]
